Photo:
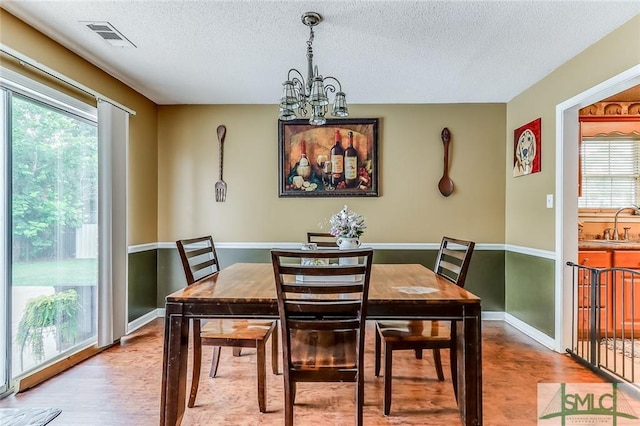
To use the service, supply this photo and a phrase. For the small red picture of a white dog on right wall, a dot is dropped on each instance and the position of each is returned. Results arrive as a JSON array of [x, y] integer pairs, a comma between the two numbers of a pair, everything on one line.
[[527, 149]]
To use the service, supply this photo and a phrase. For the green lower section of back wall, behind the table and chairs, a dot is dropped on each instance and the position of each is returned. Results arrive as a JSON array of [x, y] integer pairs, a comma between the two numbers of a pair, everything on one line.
[[486, 276]]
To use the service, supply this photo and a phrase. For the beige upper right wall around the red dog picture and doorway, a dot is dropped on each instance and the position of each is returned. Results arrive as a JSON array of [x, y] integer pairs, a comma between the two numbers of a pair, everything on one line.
[[528, 222]]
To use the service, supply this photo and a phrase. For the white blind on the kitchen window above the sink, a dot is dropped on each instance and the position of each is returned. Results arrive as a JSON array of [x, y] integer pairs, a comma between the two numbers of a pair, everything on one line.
[[610, 173]]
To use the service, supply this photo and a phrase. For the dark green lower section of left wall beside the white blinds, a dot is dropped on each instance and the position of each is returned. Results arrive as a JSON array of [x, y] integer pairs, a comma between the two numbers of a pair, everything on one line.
[[143, 280]]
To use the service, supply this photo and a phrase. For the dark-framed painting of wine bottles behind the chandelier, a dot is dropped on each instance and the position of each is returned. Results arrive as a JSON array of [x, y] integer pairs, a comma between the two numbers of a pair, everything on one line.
[[338, 159]]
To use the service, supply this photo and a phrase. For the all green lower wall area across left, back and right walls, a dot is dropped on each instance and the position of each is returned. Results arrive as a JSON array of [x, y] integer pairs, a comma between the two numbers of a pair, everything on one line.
[[518, 284]]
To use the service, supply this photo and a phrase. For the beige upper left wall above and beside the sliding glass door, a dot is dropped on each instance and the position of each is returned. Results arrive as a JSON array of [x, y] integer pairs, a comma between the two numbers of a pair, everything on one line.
[[142, 211]]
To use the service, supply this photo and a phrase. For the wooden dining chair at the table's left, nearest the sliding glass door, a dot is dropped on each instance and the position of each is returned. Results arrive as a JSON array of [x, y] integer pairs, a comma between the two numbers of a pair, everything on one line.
[[200, 261]]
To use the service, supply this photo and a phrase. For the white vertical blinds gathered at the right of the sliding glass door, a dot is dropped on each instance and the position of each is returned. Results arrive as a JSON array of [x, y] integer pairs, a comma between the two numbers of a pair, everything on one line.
[[113, 141]]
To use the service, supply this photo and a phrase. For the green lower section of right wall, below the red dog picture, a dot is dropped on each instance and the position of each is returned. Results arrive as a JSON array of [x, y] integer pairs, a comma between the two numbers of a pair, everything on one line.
[[530, 290]]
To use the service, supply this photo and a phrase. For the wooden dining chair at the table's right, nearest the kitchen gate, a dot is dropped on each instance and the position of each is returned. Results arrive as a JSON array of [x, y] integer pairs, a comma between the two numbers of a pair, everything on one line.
[[452, 264]]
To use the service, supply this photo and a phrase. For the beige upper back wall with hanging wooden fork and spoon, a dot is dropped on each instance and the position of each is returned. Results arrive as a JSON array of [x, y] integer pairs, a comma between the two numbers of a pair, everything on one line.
[[409, 209]]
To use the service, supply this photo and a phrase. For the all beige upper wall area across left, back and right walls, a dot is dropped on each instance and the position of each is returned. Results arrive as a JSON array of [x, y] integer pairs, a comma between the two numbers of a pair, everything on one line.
[[182, 146]]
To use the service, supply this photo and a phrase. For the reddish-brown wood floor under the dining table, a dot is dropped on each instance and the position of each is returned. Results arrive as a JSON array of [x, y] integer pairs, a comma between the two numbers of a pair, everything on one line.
[[121, 386]]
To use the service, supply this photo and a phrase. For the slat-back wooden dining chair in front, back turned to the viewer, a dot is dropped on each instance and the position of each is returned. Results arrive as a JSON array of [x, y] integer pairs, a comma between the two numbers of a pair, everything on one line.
[[322, 315]]
